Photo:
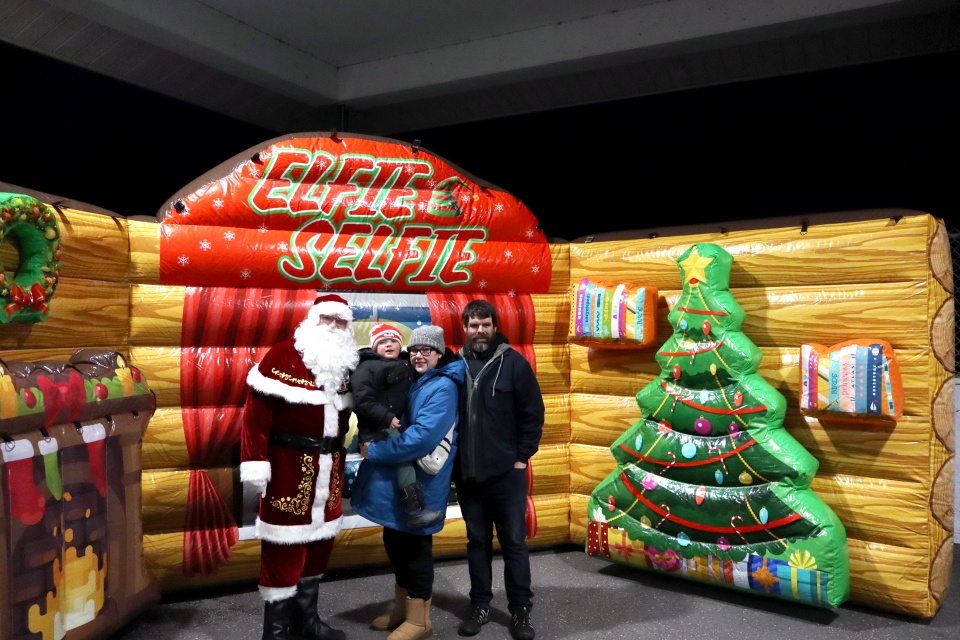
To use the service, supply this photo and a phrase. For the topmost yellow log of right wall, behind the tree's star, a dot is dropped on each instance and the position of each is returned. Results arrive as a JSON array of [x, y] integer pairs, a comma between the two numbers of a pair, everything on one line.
[[876, 251]]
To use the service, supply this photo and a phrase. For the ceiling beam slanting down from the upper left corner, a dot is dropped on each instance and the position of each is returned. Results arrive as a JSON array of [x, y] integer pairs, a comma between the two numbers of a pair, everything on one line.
[[203, 34]]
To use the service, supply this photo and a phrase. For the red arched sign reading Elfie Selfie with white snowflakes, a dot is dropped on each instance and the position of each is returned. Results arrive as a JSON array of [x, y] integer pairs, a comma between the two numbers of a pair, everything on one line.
[[350, 212]]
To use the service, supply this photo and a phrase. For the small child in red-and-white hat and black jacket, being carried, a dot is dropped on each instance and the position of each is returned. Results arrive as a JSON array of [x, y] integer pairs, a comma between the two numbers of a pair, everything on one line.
[[380, 385]]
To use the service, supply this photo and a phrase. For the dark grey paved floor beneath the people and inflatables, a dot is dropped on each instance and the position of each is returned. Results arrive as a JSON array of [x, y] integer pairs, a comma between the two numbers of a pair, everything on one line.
[[576, 597]]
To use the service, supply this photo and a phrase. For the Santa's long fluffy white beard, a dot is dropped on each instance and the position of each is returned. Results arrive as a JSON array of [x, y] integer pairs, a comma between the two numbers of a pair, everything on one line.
[[330, 354]]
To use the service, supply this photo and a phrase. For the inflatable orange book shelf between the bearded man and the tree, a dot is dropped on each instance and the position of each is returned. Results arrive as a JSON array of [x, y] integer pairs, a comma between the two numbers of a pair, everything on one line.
[[618, 316]]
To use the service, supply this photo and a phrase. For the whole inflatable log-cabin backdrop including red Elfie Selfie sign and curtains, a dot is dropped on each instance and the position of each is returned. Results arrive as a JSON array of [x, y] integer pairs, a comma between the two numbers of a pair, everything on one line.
[[194, 301]]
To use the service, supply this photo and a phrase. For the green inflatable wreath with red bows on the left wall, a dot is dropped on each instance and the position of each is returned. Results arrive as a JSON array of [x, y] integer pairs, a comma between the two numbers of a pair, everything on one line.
[[31, 223]]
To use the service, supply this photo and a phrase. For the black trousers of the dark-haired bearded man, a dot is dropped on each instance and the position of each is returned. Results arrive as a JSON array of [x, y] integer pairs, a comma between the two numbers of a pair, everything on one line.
[[500, 501]]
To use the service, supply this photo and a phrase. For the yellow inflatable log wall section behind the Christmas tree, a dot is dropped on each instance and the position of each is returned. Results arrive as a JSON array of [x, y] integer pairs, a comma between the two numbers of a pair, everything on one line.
[[892, 278]]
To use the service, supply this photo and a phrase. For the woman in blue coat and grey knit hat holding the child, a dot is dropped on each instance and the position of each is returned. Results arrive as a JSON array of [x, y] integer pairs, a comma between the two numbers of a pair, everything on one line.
[[430, 430]]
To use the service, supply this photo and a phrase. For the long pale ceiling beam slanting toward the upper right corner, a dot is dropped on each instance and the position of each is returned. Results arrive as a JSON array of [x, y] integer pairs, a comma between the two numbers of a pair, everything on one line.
[[678, 26]]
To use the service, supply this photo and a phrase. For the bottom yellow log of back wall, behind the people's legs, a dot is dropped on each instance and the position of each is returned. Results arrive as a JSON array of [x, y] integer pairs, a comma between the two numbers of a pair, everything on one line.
[[163, 553]]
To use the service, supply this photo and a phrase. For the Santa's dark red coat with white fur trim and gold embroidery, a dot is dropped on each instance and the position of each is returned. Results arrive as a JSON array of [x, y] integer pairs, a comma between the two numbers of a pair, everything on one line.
[[302, 503]]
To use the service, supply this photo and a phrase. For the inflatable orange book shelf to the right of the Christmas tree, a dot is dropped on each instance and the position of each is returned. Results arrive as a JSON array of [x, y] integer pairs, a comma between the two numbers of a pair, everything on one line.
[[858, 379]]
